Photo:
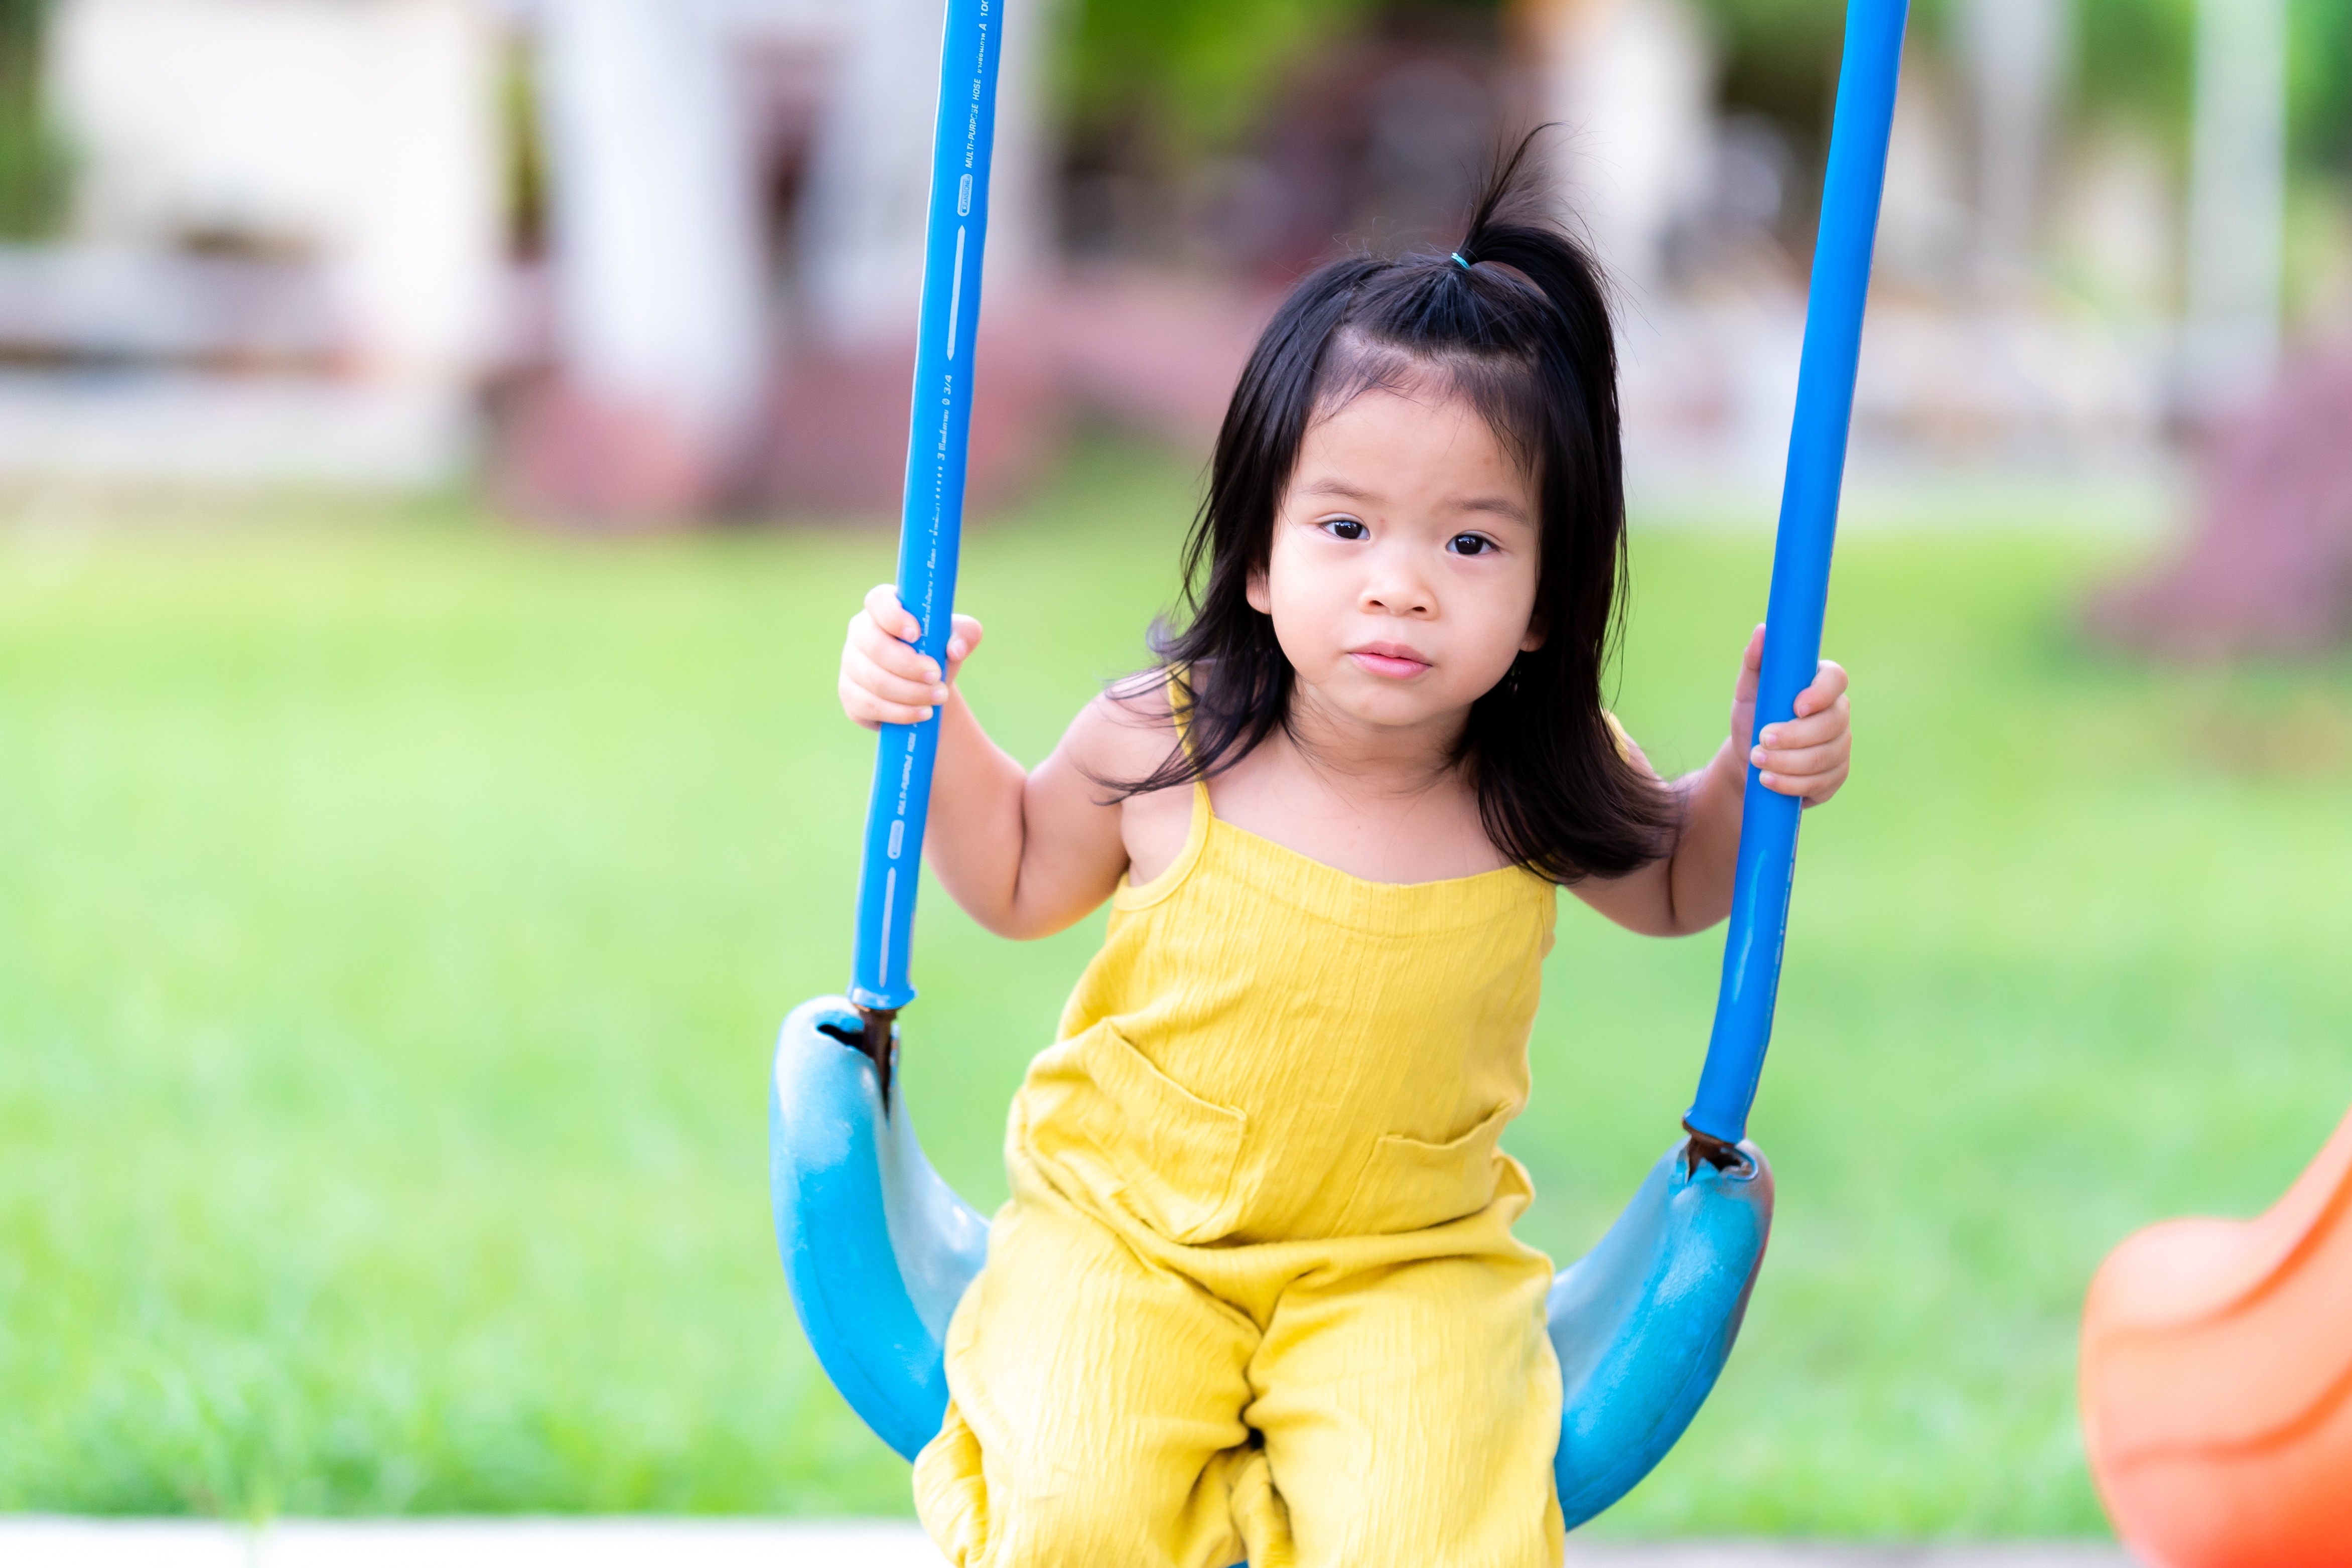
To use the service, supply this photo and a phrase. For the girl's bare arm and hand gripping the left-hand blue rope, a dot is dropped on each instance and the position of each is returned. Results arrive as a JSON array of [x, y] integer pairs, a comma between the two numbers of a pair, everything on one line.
[[1024, 855]]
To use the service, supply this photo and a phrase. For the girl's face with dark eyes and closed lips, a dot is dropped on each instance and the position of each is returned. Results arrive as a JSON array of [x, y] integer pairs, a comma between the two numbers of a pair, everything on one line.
[[1403, 568]]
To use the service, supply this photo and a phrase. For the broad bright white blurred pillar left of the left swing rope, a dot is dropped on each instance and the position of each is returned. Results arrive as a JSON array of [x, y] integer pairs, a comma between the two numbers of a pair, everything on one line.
[[657, 255]]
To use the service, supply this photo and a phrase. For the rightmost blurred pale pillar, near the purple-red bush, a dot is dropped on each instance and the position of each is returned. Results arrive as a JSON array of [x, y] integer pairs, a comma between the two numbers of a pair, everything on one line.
[[2238, 203]]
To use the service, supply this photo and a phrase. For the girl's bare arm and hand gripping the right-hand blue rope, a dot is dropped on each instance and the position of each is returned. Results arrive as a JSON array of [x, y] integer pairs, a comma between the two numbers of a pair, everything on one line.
[[1810, 756]]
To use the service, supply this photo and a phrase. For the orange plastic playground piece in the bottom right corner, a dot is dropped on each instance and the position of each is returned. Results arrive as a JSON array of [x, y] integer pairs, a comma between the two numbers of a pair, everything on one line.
[[2217, 1383]]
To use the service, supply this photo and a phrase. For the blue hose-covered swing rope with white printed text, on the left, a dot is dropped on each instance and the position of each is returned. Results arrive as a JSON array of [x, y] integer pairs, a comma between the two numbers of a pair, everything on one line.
[[933, 518]]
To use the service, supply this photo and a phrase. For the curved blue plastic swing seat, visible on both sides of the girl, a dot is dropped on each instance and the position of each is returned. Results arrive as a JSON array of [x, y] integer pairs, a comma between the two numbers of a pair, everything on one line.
[[878, 1249]]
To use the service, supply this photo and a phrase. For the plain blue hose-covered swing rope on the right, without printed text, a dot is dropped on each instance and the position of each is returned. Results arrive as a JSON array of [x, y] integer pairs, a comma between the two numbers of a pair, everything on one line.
[[1800, 579]]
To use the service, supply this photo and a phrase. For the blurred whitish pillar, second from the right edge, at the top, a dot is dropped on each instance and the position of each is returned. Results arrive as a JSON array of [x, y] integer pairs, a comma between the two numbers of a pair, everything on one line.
[[2017, 55]]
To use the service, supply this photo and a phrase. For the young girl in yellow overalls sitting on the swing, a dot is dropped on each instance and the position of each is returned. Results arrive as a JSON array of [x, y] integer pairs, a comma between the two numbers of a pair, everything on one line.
[[1257, 1289]]
